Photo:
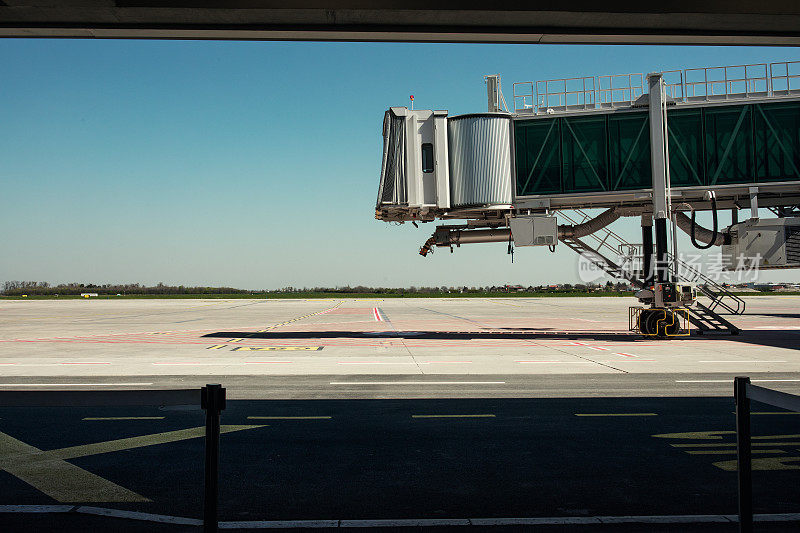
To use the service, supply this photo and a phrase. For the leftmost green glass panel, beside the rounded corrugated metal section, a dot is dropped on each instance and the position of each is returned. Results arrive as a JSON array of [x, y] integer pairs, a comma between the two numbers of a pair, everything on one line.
[[536, 147]]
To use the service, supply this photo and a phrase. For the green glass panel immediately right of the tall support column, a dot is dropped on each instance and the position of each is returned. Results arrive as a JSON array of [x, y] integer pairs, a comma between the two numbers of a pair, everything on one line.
[[686, 161]]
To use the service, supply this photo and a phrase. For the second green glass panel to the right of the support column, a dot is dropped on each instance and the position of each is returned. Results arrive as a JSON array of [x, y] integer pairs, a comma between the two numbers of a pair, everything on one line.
[[729, 144]]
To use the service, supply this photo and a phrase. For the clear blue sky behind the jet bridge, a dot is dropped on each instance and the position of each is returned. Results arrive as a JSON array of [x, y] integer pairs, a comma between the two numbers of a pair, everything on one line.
[[254, 164]]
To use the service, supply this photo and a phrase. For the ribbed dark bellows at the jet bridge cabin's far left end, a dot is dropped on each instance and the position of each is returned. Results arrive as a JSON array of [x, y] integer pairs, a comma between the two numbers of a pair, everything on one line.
[[393, 189]]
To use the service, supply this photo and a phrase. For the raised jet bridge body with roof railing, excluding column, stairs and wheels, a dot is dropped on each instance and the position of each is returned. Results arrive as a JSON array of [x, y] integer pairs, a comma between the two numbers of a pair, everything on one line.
[[563, 148]]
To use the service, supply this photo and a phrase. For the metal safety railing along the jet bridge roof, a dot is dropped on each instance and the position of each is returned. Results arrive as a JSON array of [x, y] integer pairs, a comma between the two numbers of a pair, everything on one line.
[[734, 82]]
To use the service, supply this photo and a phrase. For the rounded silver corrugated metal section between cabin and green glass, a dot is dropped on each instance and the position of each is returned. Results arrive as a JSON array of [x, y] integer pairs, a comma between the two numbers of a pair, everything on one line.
[[480, 160]]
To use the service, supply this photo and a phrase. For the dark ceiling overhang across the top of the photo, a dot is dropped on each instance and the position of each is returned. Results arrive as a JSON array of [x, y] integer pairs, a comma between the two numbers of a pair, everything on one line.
[[731, 22]]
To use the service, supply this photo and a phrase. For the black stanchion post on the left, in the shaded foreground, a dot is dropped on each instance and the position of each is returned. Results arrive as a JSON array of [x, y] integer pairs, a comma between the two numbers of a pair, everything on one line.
[[212, 400]]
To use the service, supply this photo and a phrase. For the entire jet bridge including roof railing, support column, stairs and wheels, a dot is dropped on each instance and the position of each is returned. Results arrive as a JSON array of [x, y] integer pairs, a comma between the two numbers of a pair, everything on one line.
[[655, 147]]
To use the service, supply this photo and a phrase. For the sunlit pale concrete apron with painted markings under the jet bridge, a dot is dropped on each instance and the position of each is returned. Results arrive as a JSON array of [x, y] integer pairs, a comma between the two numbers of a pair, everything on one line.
[[566, 337]]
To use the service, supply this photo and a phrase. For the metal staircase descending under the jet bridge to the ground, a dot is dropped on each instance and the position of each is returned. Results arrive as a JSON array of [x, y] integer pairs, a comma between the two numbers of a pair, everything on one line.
[[703, 317]]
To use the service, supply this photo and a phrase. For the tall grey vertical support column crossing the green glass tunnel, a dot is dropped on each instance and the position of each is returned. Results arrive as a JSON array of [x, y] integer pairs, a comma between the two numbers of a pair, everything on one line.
[[659, 155]]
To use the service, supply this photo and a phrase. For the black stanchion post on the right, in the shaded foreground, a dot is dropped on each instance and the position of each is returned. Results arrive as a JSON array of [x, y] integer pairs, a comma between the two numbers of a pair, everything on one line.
[[743, 455]]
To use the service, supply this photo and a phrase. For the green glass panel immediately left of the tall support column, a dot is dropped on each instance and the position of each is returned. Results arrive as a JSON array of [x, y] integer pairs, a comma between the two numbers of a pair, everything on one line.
[[629, 151]]
